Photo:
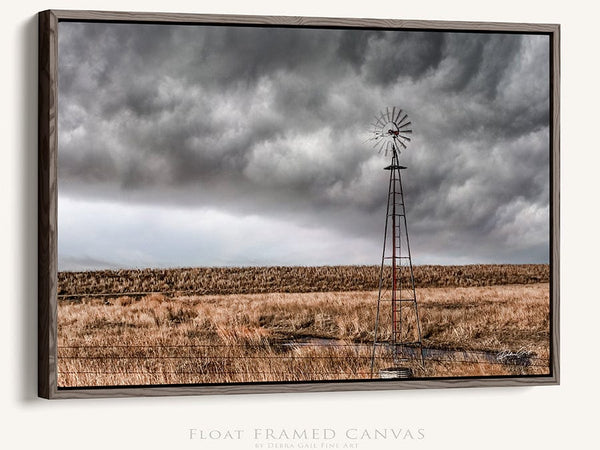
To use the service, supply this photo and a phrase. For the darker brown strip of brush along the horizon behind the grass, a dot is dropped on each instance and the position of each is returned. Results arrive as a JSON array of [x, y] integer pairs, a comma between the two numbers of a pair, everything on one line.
[[258, 280]]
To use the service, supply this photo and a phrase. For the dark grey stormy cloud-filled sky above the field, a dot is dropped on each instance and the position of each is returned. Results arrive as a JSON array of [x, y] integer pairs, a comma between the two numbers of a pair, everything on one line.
[[220, 146]]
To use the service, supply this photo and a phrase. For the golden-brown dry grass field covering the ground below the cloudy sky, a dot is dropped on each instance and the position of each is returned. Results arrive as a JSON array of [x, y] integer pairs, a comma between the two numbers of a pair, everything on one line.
[[498, 329]]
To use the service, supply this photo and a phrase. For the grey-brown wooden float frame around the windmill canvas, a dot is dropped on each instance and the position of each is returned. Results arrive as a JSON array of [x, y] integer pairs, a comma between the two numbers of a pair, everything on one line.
[[48, 203]]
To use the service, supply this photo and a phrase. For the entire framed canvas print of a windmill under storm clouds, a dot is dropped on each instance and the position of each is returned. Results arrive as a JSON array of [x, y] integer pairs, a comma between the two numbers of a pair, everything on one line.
[[245, 204]]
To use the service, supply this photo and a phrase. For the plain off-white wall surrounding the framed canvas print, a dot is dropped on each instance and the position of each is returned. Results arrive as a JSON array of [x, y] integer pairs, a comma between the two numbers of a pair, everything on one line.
[[536, 417]]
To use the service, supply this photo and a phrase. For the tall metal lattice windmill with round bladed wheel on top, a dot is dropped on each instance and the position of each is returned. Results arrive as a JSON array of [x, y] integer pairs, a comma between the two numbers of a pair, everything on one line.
[[397, 300]]
